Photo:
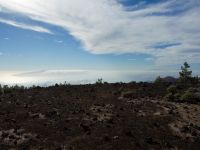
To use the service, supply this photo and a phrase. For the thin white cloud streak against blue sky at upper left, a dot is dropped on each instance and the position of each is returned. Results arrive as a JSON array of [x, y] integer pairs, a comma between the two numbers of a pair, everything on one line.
[[25, 26]]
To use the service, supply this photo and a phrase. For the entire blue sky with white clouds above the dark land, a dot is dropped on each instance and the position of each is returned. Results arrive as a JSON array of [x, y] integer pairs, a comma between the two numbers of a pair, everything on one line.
[[79, 41]]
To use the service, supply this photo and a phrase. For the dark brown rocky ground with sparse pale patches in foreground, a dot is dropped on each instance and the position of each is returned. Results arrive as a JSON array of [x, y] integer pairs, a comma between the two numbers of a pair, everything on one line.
[[91, 117]]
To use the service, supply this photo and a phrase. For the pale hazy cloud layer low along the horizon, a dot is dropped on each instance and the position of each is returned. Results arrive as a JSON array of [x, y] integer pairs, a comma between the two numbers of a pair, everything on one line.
[[48, 77]]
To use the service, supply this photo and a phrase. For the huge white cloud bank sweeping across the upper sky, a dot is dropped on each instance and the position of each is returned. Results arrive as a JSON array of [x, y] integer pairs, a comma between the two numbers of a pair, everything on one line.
[[106, 26]]
